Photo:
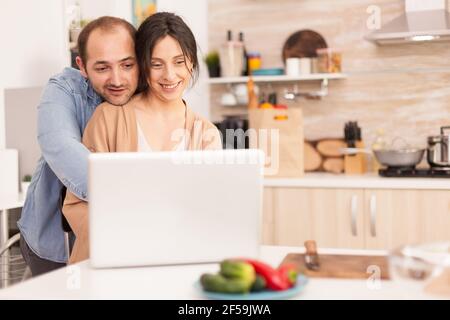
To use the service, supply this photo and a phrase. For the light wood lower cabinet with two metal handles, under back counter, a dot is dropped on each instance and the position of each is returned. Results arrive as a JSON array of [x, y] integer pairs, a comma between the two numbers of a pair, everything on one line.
[[355, 218]]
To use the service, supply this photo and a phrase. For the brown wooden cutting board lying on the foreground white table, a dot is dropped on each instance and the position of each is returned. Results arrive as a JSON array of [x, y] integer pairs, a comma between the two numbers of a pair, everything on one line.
[[342, 266]]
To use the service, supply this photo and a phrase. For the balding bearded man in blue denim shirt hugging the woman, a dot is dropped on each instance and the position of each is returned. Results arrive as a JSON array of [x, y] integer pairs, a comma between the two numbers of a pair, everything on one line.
[[108, 71]]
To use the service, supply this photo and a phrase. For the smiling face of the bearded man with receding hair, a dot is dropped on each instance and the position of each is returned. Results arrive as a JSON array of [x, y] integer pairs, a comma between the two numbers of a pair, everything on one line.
[[111, 65]]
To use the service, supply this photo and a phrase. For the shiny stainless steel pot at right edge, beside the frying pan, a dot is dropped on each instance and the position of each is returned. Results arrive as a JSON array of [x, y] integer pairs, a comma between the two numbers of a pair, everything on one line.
[[438, 152]]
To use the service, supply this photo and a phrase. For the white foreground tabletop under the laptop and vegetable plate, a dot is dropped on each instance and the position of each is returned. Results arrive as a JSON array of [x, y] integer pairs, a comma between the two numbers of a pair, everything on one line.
[[177, 282]]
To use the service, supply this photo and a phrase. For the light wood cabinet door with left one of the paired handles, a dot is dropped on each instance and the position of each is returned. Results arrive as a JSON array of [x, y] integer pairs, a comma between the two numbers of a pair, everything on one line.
[[332, 217]]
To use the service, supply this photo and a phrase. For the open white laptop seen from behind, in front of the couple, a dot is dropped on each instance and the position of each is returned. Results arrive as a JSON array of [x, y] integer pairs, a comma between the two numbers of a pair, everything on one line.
[[166, 208]]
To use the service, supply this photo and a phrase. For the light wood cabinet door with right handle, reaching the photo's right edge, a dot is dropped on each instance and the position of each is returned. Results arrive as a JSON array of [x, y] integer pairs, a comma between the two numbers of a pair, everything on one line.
[[397, 217]]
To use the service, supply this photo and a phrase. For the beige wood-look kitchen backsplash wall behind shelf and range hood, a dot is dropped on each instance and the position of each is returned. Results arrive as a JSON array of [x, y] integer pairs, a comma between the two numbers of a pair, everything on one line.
[[404, 89]]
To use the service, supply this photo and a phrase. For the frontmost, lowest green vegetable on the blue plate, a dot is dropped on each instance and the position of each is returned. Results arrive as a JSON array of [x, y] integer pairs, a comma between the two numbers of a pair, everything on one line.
[[219, 283]]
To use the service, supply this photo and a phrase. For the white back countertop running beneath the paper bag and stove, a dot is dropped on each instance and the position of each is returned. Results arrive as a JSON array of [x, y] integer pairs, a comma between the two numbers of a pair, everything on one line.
[[366, 181]]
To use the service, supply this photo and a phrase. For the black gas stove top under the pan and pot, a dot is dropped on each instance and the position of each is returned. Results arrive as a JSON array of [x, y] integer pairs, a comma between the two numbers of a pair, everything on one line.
[[412, 172]]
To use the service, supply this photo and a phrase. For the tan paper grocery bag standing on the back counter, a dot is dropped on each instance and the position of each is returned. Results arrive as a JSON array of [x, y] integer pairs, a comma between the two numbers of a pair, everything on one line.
[[279, 133]]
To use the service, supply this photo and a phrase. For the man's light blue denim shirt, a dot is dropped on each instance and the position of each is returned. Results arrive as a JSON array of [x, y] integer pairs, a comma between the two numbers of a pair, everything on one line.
[[67, 104]]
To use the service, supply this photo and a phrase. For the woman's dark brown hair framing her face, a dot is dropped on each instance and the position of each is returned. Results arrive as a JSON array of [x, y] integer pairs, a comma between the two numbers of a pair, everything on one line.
[[156, 27]]
